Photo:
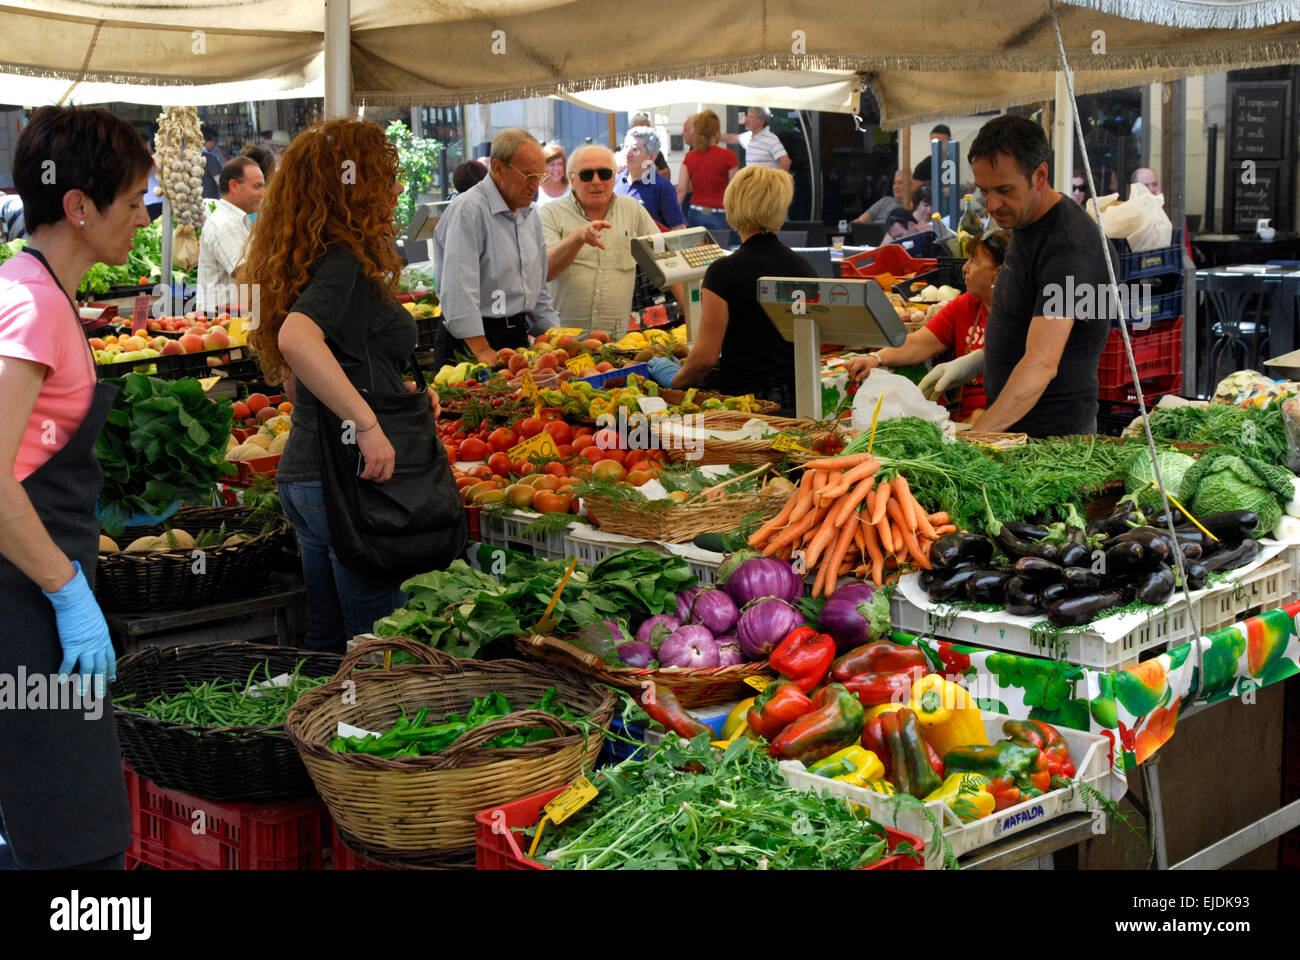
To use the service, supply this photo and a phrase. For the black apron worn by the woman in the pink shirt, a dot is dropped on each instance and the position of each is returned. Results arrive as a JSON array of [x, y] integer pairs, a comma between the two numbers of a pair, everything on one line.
[[63, 797]]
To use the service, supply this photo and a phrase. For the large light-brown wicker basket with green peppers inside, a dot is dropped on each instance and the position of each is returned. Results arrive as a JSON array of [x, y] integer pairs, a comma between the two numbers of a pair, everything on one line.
[[421, 811]]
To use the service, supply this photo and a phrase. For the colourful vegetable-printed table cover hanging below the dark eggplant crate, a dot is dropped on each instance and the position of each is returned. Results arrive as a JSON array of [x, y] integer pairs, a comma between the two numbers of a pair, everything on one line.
[[1137, 710]]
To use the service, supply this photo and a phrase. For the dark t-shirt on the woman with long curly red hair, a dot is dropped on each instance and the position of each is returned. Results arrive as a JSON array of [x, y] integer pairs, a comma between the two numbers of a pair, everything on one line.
[[371, 336]]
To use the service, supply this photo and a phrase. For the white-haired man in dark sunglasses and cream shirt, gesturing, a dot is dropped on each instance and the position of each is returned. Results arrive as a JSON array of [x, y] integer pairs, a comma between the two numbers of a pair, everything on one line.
[[590, 245]]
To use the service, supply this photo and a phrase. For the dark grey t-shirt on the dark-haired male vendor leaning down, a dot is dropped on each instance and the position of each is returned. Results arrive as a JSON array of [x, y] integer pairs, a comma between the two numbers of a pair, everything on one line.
[[1055, 269]]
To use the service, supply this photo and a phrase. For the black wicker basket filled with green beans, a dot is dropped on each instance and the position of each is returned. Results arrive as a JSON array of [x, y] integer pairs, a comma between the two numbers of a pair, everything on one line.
[[233, 764]]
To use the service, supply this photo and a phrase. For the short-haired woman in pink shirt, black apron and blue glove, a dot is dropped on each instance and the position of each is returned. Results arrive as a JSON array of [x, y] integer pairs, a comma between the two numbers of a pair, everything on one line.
[[83, 175]]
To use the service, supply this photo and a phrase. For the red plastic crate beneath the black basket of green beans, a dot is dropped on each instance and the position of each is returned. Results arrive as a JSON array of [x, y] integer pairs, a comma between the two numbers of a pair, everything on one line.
[[177, 832]]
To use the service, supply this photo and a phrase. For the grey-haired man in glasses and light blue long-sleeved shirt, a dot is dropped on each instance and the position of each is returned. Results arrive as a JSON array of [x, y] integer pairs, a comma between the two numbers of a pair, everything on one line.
[[491, 258]]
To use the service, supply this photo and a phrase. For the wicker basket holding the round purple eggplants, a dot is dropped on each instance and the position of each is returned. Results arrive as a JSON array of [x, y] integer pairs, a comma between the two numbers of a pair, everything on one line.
[[694, 687]]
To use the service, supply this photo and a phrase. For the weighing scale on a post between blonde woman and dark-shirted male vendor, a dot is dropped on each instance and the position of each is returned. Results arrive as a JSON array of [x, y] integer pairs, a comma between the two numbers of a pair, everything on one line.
[[812, 312]]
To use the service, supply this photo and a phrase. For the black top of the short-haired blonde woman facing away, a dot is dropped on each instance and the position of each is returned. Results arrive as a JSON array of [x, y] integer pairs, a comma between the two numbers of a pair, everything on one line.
[[755, 353]]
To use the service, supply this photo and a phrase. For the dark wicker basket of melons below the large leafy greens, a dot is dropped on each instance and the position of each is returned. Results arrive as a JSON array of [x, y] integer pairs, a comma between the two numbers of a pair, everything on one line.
[[154, 582]]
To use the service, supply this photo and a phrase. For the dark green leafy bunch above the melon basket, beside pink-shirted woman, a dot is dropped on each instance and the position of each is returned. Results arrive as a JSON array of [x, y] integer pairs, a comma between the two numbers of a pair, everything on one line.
[[163, 442]]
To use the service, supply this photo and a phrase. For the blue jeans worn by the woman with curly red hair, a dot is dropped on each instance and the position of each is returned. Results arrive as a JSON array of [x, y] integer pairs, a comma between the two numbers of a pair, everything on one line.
[[340, 602]]
